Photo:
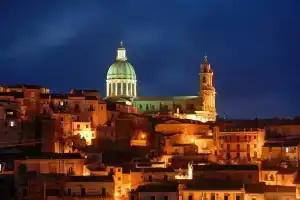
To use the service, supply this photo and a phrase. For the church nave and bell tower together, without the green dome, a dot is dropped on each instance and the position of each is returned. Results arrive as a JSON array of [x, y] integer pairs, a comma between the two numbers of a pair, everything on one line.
[[199, 108]]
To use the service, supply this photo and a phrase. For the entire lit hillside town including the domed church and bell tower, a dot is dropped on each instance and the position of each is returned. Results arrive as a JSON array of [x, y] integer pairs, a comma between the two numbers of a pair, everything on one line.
[[87, 145]]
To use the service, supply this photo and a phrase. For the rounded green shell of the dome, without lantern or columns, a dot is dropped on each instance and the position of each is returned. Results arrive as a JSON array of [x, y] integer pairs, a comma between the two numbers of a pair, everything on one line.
[[121, 70]]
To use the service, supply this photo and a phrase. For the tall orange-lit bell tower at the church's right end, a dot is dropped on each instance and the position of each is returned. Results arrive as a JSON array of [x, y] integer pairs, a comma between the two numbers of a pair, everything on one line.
[[207, 89]]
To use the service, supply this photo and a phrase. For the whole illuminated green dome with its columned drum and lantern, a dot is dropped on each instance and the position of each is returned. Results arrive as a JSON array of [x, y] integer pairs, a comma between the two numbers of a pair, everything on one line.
[[121, 77]]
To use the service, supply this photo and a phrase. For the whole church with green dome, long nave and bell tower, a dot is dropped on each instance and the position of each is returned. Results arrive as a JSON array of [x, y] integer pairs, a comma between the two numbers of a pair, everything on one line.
[[121, 86]]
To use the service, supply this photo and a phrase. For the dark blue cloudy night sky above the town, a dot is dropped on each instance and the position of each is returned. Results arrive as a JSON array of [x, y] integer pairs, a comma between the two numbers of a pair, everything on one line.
[[253, 46]]
